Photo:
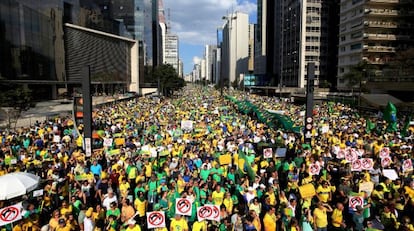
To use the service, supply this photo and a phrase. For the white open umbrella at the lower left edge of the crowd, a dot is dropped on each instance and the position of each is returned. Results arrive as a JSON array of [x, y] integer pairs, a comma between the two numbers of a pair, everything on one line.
[[17, 184]]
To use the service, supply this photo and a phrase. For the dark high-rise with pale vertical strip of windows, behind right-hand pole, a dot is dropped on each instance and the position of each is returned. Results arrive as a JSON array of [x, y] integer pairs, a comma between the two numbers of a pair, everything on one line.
[[308, 34]]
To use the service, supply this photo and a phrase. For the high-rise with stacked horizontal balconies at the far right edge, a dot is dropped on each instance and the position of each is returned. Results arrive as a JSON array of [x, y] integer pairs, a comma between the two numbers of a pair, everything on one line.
[[373, 31]]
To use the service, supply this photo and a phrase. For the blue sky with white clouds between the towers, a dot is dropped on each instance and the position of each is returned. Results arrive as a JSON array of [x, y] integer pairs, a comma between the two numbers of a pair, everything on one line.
[[196, 22]]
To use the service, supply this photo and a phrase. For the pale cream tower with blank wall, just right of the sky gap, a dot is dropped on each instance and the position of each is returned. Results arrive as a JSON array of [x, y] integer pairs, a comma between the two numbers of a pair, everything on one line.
[[235, 48]]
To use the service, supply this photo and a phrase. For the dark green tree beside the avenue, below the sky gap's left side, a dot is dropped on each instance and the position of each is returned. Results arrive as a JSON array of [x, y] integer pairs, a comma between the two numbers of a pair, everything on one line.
[[169, 79]]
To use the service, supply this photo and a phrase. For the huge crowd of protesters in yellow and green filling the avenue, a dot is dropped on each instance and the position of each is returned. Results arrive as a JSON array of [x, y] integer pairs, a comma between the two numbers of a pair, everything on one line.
[[143, 160]]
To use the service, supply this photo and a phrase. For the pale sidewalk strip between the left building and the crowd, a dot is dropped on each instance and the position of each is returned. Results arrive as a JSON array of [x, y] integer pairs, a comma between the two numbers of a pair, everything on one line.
[[48, 109]]
